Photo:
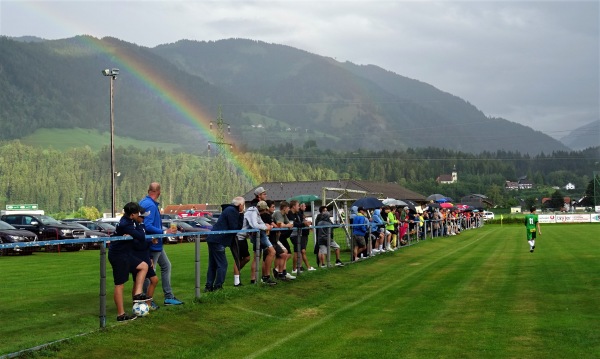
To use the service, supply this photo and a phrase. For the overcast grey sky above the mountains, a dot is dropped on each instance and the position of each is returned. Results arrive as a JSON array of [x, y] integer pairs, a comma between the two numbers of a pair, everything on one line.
[[535, 63]]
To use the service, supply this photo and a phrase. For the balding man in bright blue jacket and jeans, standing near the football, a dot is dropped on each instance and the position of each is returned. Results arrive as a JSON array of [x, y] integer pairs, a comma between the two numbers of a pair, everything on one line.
[[153, 224]]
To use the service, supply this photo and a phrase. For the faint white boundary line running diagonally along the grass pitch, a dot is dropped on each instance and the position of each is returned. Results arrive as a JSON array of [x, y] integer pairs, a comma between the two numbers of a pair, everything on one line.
[[350, 305]]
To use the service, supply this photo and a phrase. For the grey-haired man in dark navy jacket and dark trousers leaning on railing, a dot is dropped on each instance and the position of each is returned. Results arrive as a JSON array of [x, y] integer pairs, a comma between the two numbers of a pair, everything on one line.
[[231, 218]]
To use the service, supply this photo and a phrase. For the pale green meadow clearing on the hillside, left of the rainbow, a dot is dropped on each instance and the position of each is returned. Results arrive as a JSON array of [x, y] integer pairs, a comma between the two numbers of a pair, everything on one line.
[[63, 139]]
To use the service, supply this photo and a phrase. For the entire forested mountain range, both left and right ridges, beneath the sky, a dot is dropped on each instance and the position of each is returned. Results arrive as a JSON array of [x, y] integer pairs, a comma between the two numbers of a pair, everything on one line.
[[269, 94]]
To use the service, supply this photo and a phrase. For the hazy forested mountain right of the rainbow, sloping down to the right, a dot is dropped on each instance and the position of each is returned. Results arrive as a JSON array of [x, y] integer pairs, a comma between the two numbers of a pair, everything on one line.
[[361, 106]]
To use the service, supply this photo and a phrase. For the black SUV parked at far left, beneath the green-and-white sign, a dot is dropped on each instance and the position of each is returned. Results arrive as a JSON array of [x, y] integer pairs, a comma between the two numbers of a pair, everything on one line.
[[47, 229]]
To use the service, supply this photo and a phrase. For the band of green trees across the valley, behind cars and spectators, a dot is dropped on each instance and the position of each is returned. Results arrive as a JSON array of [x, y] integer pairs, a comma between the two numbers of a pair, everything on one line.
[[67, 180]]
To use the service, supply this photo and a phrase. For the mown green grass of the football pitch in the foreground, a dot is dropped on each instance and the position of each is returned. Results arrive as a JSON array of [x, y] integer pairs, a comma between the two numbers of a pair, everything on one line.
[[477, 295]]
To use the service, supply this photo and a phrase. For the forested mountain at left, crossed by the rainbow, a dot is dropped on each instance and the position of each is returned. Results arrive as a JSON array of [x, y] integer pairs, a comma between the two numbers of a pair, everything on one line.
[[58, 84]]
